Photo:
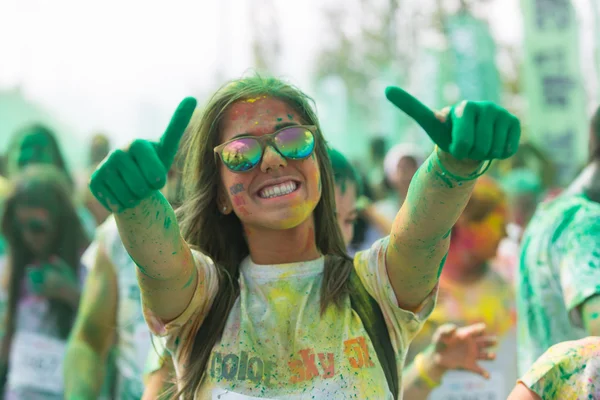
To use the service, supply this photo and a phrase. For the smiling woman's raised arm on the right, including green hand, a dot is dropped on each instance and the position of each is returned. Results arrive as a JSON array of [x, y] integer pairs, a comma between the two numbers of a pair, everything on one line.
[[468, 135]]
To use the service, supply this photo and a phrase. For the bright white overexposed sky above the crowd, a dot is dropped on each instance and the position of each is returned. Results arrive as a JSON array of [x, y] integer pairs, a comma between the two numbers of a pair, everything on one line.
[[121, 66]]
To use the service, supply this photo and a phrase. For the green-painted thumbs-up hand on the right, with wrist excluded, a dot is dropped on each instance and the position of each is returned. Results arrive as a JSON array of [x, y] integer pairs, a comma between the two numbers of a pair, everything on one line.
[[475, 130]]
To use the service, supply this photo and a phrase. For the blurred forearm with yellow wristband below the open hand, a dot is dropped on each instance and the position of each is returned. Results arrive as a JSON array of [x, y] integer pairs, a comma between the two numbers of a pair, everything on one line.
[[422, 376]]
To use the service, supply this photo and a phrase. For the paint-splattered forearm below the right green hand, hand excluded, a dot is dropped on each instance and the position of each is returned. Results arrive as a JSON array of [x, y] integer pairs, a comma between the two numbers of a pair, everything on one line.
[[420, 235]]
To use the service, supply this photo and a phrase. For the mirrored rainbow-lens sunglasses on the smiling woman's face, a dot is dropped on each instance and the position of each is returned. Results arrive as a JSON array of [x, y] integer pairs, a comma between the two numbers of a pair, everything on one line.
[[243, 153]]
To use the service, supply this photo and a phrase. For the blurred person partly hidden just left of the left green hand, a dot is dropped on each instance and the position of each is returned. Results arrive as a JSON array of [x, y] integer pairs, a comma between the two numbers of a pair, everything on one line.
[[99, 149]]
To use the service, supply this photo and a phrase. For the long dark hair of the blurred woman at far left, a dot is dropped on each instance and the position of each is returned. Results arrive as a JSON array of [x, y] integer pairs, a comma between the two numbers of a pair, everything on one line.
[[45, 187]]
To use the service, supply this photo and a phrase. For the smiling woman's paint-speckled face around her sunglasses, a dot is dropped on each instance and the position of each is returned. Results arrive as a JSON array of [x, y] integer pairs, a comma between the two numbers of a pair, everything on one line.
[[246, 192]]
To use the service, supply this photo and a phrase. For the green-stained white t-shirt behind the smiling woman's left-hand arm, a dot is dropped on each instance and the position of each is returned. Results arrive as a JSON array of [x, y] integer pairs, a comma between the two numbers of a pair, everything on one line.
[[134, 338]]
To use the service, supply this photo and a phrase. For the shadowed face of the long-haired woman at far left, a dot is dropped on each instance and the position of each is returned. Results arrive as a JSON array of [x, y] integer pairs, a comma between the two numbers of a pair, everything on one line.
[[35, 225]]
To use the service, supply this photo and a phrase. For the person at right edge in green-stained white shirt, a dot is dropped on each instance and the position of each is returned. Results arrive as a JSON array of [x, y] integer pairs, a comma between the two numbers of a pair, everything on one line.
[[558, 290]]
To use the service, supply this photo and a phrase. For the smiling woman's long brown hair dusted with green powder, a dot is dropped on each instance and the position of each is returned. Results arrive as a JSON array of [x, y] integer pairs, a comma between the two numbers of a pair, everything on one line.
[[221, 236]]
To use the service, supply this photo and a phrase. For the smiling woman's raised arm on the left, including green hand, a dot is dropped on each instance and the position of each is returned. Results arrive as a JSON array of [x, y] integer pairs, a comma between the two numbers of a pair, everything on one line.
[[127, 183]]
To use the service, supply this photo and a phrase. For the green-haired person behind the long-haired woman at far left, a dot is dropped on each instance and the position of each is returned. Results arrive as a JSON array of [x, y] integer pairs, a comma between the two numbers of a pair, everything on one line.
[[37, 144]]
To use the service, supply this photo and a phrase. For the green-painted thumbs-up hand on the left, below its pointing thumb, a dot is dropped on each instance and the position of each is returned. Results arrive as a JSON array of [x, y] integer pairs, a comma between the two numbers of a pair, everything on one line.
[[130, 175]]
